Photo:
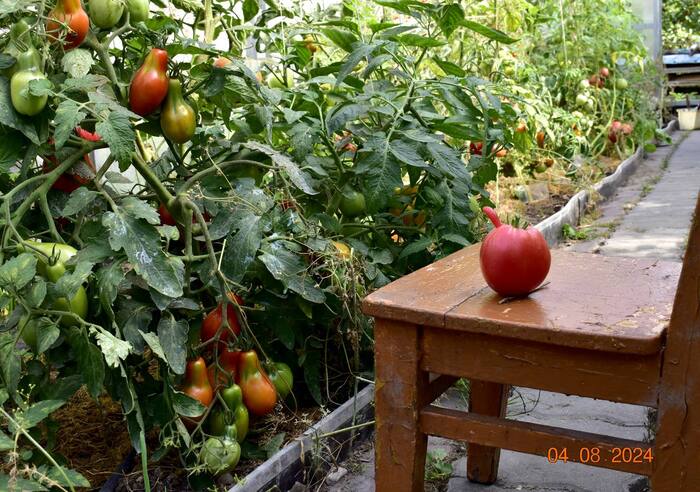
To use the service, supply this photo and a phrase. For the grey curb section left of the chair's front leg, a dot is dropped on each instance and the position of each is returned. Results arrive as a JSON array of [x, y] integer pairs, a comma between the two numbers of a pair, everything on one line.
[[287, 466]]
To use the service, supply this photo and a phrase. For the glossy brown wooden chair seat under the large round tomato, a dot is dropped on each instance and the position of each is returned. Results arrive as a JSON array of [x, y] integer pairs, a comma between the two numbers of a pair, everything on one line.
[[608, 304]]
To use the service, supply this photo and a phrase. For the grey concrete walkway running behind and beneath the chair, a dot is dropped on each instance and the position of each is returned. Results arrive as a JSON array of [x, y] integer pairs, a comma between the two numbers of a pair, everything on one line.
[[648, 217]]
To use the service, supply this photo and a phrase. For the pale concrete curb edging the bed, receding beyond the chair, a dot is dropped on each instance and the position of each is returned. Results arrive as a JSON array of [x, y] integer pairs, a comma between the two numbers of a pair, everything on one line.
[[575, 208]]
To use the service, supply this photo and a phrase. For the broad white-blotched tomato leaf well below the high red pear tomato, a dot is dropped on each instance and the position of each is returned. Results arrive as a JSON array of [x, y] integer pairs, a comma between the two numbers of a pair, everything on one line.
[[141, 242]]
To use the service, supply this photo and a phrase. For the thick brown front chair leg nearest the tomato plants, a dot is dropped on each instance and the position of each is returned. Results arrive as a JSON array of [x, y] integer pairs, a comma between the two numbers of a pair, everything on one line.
[[400, 385]]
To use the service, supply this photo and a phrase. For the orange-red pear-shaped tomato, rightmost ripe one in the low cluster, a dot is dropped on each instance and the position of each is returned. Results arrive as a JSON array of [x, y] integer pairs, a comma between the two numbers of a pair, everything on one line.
[[259, 393]]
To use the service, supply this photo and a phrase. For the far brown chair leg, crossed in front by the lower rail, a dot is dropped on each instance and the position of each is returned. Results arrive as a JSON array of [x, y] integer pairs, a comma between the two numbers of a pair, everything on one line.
[[486, 399]]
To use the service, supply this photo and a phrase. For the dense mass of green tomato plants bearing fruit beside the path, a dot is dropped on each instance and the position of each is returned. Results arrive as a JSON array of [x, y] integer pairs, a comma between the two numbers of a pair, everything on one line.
[[179, 171]]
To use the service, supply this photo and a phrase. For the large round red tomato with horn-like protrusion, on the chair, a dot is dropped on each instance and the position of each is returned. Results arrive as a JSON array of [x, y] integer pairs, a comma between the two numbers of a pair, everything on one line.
[[514, 261]]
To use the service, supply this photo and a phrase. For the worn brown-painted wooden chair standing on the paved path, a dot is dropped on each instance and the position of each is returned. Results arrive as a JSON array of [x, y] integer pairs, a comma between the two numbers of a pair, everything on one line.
[[598, 330]]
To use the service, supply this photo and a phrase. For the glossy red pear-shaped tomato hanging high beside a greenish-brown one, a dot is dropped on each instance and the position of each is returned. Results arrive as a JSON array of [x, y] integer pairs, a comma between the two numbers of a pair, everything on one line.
[[150, 84]]
